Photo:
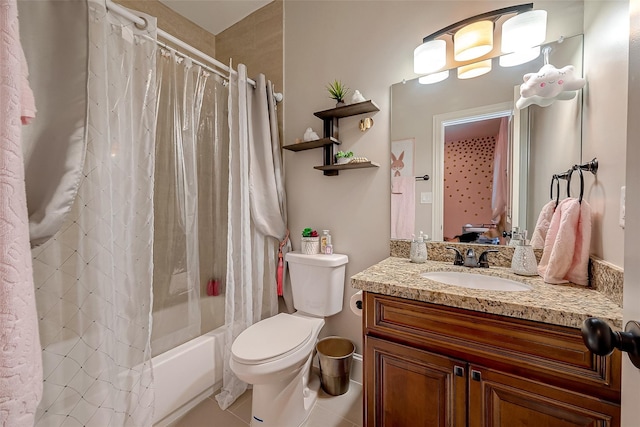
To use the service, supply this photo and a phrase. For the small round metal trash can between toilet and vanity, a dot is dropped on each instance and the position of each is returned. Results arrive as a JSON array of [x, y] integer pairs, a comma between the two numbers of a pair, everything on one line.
[[335, 355]]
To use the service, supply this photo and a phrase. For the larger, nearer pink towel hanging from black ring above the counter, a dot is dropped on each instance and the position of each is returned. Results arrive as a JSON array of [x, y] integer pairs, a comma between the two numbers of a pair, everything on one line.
[[565, 257]]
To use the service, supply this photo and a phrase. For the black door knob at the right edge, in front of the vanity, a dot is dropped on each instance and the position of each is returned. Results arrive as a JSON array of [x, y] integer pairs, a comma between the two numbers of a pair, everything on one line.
[[602, 340]]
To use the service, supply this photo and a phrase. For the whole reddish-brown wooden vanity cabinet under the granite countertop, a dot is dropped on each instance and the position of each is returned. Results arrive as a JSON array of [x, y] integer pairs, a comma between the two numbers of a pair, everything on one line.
[[430, 365]]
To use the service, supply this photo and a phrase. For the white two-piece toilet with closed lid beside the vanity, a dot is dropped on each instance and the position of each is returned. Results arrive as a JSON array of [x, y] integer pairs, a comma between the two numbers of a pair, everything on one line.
[[275, 354]]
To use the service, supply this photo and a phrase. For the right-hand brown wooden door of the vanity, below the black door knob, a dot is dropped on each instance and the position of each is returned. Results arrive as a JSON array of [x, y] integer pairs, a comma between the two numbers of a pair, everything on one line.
[[500, 400]]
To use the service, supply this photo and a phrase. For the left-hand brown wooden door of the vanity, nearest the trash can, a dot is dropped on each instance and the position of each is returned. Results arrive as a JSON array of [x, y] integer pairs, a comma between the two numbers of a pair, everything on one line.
[[408, 387]]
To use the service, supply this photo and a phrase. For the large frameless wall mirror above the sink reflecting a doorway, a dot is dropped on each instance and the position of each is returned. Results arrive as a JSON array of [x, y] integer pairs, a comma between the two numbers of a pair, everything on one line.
[[448, 131]]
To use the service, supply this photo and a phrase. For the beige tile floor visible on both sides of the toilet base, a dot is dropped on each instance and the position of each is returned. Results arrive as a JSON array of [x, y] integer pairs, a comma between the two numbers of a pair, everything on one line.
[[329, 411]]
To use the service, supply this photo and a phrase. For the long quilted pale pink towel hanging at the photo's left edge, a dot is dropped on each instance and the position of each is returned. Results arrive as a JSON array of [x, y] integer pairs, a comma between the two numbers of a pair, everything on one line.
[[20, 356]]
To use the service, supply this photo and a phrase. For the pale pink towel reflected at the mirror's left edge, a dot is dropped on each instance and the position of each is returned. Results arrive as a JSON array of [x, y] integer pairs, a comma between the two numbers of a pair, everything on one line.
[[403, 210]]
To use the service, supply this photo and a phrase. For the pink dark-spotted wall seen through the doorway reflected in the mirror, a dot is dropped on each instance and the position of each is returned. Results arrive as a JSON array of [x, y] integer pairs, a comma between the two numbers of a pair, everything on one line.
[[468, 183]]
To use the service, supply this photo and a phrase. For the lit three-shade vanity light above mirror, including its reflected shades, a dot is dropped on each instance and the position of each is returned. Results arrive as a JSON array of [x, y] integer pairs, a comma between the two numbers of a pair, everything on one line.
[[473, 38]]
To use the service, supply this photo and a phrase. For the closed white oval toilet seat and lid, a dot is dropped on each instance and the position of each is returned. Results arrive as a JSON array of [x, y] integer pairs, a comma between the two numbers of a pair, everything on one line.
[[272, 339]]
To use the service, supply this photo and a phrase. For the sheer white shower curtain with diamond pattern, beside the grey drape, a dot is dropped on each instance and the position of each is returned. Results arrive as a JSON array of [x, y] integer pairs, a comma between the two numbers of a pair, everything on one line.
[[93, 278]]
